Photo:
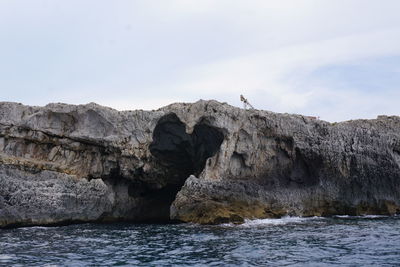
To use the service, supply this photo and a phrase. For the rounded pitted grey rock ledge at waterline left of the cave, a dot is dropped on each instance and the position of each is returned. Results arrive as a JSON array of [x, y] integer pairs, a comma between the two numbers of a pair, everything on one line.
[[47, 197]]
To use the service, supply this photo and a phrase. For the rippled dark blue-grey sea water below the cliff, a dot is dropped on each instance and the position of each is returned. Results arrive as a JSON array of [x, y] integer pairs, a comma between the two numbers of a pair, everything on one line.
[[351, 241]]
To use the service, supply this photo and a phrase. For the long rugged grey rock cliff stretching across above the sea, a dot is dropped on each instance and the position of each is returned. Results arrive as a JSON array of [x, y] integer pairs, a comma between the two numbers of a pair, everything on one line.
[[205, 162]]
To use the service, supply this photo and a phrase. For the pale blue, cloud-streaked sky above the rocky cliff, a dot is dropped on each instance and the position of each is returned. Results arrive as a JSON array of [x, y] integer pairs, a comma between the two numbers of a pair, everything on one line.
[[338, 60]]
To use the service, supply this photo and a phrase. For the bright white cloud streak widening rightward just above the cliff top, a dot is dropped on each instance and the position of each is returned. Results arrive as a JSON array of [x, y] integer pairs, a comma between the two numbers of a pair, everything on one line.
[[279, 74]]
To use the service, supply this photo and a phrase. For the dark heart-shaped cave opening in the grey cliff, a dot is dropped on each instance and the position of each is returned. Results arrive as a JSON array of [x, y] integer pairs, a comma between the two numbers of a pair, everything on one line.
[[180, 154]]
